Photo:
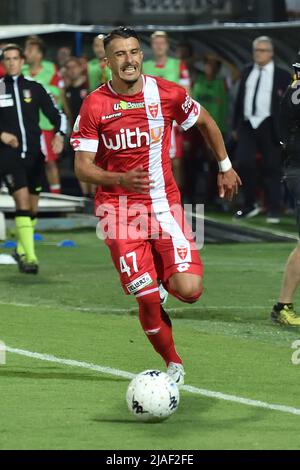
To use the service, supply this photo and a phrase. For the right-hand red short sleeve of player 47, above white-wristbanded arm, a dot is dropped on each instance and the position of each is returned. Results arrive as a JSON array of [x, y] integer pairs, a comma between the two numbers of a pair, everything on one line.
[[185, 110]]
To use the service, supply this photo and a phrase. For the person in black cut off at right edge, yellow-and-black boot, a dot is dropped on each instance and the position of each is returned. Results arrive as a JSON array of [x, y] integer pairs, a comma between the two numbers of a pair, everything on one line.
[[283, 312]]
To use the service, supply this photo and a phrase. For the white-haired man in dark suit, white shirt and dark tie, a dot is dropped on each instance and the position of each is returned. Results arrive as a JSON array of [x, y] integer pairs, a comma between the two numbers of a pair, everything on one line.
[[256, 122]]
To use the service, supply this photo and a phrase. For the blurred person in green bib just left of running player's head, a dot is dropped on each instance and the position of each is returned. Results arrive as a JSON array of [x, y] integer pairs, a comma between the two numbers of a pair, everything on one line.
[[98, 72]]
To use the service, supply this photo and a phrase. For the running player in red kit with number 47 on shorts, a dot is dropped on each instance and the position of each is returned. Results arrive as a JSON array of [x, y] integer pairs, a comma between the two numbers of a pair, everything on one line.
[[122, 143]]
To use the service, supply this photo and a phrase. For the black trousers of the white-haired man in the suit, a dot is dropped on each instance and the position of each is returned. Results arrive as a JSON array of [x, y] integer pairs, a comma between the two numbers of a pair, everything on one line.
[[251, 141]]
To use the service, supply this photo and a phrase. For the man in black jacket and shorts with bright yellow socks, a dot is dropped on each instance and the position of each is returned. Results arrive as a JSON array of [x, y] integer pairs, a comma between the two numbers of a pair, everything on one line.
[[21, 160]]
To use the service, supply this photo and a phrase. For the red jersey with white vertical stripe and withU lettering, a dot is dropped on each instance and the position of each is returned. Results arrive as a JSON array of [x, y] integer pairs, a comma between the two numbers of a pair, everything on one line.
[[127, 132]]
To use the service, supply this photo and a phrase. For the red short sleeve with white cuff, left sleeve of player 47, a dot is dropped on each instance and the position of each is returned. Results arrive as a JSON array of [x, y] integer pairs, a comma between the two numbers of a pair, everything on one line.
[[85, 135]]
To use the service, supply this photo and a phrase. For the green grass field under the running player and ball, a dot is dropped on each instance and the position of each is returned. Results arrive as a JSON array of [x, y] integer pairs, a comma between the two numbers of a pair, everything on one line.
[[75, 310]]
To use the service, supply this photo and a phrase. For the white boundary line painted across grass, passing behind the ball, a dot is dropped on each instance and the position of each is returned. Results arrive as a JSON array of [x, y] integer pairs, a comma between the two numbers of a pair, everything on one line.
[[129, 375]]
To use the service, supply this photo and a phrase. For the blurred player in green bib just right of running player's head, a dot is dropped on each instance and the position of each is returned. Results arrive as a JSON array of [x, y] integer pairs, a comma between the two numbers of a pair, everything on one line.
[[175, 70]]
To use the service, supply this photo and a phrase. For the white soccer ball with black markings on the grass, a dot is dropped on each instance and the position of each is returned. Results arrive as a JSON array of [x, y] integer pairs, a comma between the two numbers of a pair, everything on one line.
[[152, 396]]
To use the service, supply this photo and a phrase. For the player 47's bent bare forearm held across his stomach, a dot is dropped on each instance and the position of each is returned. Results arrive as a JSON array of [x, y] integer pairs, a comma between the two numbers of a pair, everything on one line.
[[86, 171]]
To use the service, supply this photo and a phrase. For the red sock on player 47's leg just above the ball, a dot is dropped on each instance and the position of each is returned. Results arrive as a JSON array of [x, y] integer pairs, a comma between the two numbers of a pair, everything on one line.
[[158, 327]]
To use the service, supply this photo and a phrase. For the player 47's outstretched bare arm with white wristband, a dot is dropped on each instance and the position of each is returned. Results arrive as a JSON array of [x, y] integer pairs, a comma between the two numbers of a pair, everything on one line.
[[228, 180]]
